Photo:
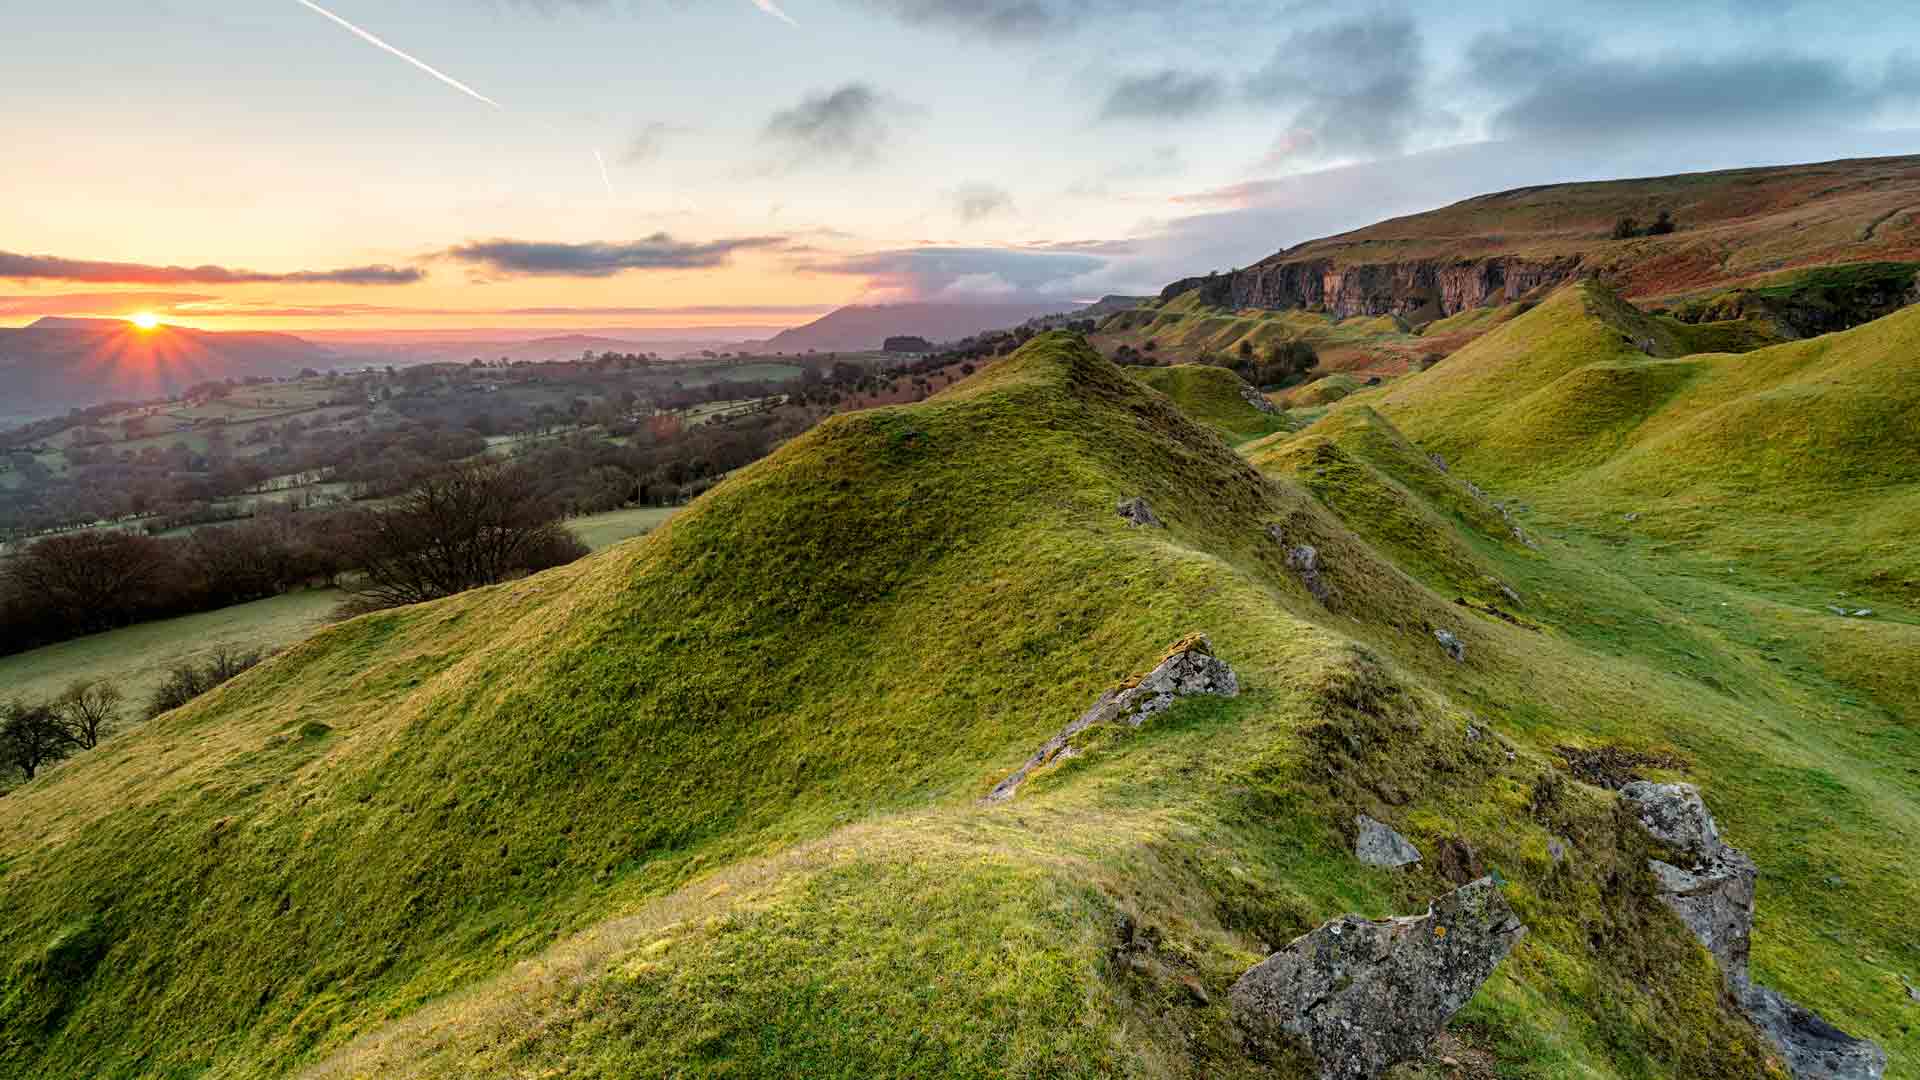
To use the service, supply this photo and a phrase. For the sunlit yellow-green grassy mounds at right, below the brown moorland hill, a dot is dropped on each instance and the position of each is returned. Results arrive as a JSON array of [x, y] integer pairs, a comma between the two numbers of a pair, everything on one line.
[[1798, 458]]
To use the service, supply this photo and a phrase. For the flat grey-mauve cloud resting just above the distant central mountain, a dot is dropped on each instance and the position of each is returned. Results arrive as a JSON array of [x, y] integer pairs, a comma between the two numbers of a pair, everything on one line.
[[921, 274]]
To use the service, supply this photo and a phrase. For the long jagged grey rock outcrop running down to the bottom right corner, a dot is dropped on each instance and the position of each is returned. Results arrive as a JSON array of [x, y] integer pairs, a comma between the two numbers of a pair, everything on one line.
[[1714, 896]]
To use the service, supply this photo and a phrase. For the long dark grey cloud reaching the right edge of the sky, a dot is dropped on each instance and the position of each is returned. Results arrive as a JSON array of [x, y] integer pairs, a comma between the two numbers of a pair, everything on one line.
[[1560, 87]]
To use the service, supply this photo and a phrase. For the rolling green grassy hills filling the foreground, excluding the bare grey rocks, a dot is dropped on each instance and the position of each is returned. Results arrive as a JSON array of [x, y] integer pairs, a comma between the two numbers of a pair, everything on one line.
[[709, 802]]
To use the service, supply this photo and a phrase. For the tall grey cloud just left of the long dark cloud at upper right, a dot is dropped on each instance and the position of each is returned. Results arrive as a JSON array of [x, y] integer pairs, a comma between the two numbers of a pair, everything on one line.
[[1353, 87]]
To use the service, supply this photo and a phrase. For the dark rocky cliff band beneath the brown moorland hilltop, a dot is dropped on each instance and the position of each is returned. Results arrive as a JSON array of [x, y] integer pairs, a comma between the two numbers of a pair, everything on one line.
[[1412, 289]]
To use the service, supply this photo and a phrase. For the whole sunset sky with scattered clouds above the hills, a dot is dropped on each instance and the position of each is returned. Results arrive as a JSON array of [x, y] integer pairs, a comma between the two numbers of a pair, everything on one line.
[[348, 164]]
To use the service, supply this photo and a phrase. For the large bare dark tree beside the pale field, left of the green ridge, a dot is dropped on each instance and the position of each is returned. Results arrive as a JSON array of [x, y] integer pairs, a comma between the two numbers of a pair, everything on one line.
[[464, 529]]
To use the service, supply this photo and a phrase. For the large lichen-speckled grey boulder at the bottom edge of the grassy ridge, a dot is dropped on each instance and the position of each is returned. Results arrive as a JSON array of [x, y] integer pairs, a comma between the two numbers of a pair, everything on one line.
[[1364, 996]]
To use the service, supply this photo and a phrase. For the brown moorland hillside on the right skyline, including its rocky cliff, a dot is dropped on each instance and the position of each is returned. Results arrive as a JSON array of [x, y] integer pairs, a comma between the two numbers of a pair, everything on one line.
[[1735, 228]]
